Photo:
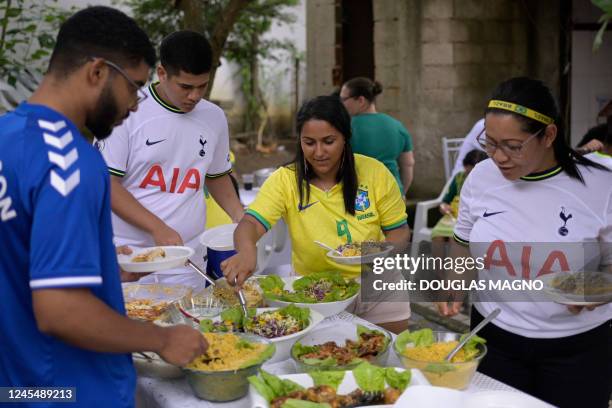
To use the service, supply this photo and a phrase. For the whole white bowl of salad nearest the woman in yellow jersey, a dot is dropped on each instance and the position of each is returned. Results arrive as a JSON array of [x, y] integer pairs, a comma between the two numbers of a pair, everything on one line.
[[326, 292]]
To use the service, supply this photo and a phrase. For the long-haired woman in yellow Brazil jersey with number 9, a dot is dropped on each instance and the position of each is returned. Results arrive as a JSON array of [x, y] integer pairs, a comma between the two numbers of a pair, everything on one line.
[[327, 194]]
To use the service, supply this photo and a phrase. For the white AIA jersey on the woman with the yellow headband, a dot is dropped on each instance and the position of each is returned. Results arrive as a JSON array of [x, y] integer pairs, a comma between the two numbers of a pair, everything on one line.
[[533, 226]]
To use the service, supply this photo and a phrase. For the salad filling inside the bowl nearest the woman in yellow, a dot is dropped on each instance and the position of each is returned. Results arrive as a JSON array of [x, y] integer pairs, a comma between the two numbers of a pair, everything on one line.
[[314, 288]]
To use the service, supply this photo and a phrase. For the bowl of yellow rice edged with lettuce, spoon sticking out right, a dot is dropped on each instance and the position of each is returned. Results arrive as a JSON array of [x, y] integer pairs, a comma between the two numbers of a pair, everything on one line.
[[426, 350]]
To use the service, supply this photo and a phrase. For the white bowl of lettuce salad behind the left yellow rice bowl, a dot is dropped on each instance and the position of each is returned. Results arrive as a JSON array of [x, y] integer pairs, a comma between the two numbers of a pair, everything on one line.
[[281, 326]]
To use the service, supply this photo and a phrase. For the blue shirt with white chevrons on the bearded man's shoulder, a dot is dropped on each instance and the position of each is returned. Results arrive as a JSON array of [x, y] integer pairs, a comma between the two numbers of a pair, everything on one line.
[[55, 232]]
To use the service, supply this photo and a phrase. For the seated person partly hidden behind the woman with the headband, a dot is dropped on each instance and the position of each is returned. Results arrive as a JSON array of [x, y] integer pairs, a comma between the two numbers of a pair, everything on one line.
[[443, 230]]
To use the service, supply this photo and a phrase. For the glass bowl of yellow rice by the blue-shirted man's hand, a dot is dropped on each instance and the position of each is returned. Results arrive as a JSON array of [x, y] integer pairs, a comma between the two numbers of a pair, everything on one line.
[[221, 373]]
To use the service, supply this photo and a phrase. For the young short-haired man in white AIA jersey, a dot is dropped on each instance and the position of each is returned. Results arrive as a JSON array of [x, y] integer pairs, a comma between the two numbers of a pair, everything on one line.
[[160, 157]]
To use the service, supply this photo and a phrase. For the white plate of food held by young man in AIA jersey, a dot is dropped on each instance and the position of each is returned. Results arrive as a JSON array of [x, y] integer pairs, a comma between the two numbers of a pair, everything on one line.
[[176, 256]]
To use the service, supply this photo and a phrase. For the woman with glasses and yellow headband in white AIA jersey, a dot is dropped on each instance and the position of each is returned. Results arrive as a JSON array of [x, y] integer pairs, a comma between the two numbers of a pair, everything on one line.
[[527, 209]]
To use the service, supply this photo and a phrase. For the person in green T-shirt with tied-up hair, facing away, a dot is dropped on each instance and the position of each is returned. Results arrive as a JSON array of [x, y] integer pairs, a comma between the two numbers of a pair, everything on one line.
[[378, 135]]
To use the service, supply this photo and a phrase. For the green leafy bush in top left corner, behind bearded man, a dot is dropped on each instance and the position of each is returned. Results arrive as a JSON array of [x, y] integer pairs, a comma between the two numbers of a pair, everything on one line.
[[25, 42]]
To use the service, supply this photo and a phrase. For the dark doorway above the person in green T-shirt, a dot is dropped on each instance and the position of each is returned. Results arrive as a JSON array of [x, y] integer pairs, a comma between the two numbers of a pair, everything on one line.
[[357, 40]]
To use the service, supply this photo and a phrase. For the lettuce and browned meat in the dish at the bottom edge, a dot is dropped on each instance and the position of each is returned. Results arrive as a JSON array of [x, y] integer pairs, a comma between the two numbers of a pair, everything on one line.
[[376, 385]]
